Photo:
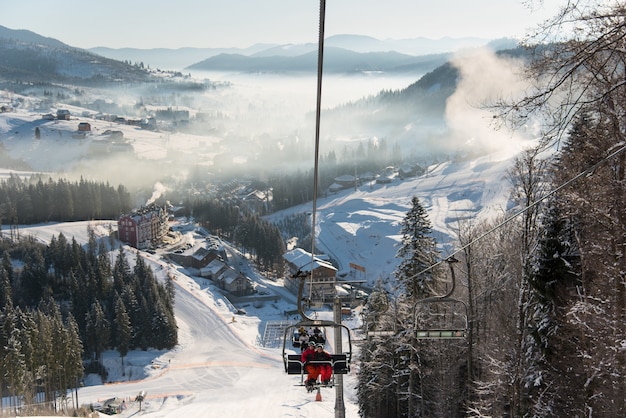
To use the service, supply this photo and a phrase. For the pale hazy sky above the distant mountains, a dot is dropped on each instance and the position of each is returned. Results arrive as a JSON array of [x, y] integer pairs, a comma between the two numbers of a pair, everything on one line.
[[242, 23]]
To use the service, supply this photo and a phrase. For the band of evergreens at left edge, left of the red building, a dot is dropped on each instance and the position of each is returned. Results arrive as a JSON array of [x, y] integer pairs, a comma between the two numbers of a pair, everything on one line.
[[36, 199]]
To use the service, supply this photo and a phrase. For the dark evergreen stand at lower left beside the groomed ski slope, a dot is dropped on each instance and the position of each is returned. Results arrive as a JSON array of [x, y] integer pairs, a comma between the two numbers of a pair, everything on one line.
[[64, 304]]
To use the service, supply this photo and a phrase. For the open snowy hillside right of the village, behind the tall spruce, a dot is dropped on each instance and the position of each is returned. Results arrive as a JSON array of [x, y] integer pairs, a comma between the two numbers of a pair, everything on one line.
[[362, 226]]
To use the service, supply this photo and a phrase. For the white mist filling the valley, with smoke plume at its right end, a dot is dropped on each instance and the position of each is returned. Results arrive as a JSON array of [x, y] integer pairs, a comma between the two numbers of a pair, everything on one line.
[[259, 125]]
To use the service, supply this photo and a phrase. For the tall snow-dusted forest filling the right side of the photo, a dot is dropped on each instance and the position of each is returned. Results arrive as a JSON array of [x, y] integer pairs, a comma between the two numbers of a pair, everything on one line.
[[544, 291]]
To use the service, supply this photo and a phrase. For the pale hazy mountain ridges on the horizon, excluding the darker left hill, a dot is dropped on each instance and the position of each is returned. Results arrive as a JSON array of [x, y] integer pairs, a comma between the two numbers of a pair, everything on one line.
[[275, 56]]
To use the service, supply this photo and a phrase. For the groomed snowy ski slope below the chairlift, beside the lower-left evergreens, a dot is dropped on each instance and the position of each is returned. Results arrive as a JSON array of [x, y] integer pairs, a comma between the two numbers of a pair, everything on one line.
[[219, 367]]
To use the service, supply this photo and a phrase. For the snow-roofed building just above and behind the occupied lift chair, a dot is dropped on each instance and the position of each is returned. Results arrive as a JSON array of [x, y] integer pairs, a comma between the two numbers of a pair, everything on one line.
[[320, 285]]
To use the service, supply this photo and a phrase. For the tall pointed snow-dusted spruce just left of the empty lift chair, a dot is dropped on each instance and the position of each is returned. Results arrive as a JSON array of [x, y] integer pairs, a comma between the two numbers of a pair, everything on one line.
[[398, 363]]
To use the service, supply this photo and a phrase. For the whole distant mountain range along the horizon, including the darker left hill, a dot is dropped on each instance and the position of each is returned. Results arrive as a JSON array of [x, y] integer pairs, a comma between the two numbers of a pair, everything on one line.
[[28, 56]]
